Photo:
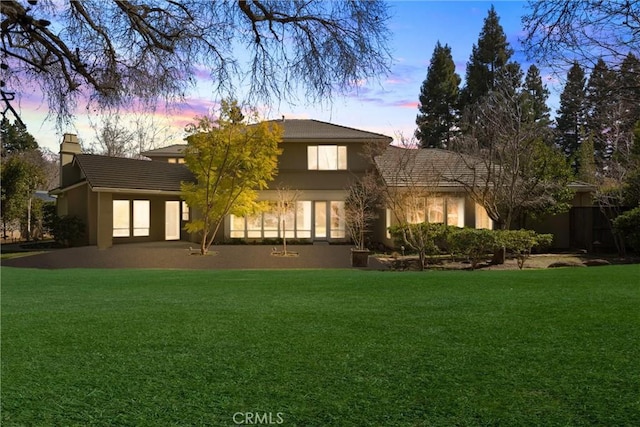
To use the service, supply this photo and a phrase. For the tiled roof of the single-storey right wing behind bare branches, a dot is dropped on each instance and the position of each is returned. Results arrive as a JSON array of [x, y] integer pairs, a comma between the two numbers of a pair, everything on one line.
[[426, 167]]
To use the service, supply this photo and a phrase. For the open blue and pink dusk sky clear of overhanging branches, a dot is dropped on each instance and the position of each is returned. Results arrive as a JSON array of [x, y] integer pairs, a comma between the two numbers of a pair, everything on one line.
[[387, 106]]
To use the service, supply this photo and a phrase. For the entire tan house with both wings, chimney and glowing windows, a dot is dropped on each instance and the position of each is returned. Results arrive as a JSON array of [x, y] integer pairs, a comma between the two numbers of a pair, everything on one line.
[[128, 200]]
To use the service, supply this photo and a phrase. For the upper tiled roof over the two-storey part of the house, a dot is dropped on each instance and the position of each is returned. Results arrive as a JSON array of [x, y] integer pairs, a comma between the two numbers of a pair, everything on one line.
[[295, 130]]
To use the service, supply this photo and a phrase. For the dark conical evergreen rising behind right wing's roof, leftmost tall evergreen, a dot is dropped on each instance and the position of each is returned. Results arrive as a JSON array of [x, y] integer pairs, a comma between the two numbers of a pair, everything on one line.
[[438, 99]]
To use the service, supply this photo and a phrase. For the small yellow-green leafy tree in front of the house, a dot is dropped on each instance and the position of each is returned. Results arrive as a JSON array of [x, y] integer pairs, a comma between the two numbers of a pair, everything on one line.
[[230, 160]]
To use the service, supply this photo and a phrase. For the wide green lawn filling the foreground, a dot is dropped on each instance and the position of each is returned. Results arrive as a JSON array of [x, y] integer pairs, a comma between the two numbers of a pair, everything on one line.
[[321, 348]]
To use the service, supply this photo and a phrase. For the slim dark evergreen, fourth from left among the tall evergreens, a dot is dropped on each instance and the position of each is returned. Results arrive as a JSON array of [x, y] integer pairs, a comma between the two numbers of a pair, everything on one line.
[[571, 116]]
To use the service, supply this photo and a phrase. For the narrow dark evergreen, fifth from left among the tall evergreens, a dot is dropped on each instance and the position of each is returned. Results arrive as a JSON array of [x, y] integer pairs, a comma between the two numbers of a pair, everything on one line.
[[602, 109]]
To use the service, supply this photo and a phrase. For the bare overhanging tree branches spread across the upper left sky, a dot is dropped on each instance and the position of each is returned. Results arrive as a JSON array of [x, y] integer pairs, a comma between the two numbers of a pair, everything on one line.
[[113, 51]]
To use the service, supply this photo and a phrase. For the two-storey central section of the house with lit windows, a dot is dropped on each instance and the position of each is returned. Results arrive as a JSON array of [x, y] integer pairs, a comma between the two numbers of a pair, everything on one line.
[[319, 161]]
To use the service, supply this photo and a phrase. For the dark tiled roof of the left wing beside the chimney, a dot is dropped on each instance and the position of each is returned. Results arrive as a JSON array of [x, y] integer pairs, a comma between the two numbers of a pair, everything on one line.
[[132, 174]]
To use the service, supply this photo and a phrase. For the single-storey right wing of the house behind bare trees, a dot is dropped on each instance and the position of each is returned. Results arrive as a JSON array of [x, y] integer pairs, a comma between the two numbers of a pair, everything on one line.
[[430, 185]]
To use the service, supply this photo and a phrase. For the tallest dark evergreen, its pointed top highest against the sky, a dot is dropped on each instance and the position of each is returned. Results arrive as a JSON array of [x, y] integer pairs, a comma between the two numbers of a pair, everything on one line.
[[488, 57]]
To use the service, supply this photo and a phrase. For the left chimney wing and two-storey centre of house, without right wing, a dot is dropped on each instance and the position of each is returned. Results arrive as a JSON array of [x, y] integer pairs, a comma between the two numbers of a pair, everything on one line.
[[128, 200]]
